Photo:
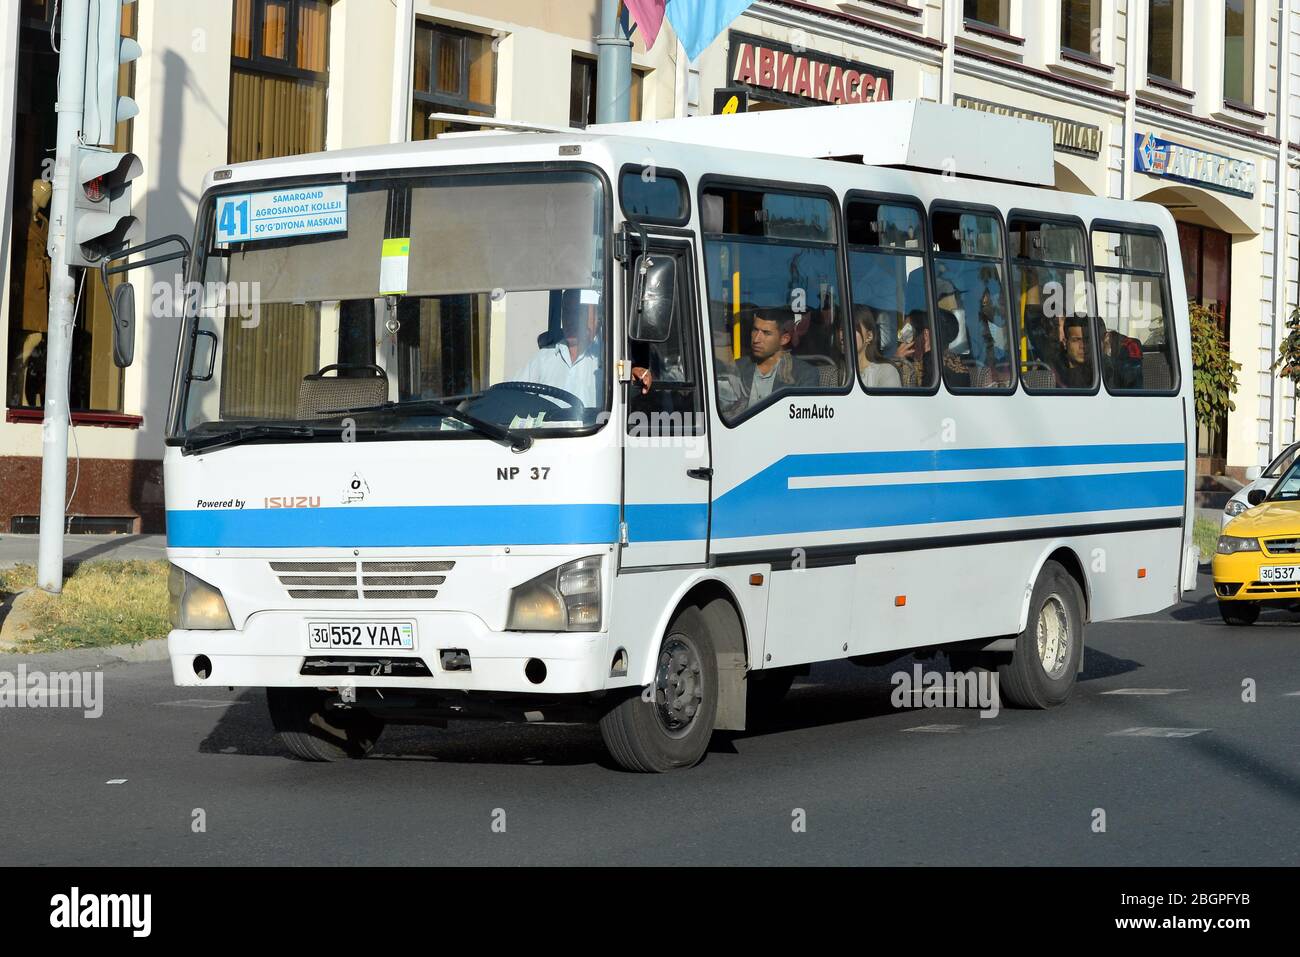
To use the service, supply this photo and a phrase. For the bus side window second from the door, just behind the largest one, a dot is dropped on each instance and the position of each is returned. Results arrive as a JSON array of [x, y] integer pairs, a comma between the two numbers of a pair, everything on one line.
[[894, 343]]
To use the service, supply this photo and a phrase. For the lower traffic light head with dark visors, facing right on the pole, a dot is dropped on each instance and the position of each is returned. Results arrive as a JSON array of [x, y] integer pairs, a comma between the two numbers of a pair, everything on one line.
[[101, 220]]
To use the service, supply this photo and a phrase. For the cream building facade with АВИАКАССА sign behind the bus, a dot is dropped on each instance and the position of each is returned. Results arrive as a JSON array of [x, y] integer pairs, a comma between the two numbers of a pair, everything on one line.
[[1194, 105]]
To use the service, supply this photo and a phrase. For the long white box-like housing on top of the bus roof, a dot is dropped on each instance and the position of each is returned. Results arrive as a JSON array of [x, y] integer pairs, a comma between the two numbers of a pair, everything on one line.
[[916, 135]]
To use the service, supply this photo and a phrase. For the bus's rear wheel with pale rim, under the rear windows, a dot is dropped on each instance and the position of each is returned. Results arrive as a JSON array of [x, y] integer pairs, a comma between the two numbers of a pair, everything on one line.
[[1046, 661]]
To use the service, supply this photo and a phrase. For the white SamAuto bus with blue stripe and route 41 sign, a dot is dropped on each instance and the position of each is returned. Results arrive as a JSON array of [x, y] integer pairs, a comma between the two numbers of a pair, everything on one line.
[[634, 425]]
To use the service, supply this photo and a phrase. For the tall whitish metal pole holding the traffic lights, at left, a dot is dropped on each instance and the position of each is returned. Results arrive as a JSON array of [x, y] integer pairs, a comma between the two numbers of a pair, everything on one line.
[[63, 298]]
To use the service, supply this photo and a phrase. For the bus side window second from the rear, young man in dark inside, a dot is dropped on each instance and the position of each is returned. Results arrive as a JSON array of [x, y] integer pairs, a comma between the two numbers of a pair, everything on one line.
[[1051, 297]]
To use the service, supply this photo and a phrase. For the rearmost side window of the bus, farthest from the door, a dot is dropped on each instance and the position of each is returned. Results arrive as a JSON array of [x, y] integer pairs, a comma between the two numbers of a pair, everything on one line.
[[1138, 350]]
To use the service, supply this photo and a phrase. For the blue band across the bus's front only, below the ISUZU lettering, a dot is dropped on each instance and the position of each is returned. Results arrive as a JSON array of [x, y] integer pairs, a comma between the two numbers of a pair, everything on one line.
[[395, 526]]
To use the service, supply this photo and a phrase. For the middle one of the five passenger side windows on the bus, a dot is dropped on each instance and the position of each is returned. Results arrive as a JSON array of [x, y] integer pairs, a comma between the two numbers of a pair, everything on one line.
[[972, 308]]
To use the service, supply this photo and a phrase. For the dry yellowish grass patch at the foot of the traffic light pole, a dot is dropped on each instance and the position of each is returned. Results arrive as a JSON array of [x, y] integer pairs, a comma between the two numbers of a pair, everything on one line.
[[103, 604]]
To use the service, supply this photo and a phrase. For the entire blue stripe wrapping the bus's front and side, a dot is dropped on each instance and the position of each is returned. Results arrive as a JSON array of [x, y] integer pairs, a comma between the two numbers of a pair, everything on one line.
[[764, 505]]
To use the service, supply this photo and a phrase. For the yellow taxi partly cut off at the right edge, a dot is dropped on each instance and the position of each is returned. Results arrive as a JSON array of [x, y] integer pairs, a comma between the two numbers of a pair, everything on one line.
[[1258, 560]]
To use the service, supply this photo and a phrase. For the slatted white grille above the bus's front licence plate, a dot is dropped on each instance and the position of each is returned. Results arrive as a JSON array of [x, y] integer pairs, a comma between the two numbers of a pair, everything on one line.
[[372, 581]]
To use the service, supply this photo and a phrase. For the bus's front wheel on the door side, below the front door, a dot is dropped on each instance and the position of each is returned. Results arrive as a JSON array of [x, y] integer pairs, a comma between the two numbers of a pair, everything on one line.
[[670, 724]]
